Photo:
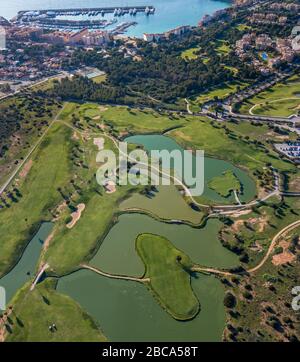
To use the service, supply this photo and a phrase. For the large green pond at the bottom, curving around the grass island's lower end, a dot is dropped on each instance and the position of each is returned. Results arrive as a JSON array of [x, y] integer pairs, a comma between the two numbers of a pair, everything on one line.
[[126, 311]]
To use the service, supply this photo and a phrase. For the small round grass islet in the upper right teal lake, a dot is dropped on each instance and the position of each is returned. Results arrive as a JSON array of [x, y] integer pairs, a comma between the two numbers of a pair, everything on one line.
[[225, 184]]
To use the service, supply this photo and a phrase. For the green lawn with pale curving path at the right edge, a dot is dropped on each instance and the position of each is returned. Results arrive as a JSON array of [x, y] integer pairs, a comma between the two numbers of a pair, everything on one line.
[[281, 100]]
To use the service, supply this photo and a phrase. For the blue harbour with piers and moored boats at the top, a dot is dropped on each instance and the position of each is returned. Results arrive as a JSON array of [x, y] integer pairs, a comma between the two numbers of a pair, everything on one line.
[[167, 14]]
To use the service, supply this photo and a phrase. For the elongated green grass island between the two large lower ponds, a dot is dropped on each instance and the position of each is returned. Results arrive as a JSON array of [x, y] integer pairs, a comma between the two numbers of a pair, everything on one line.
[[169, 279]]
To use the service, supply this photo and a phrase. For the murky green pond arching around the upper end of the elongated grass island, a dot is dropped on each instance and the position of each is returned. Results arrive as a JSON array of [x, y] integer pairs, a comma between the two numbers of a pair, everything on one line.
[[117, 252]]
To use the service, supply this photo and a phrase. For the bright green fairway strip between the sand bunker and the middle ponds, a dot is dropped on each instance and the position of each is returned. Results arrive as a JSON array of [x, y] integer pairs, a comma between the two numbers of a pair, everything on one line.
[[71, 247]]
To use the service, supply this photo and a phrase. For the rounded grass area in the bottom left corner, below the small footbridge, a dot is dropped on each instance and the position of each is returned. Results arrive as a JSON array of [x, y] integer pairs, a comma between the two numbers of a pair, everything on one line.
[[34, 311]]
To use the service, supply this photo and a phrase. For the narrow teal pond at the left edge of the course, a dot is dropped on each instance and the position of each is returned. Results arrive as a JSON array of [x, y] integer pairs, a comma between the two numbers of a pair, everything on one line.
[[26, 267]]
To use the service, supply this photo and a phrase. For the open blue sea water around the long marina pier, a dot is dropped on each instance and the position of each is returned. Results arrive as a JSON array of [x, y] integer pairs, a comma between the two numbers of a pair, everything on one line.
[[169, 13]]
